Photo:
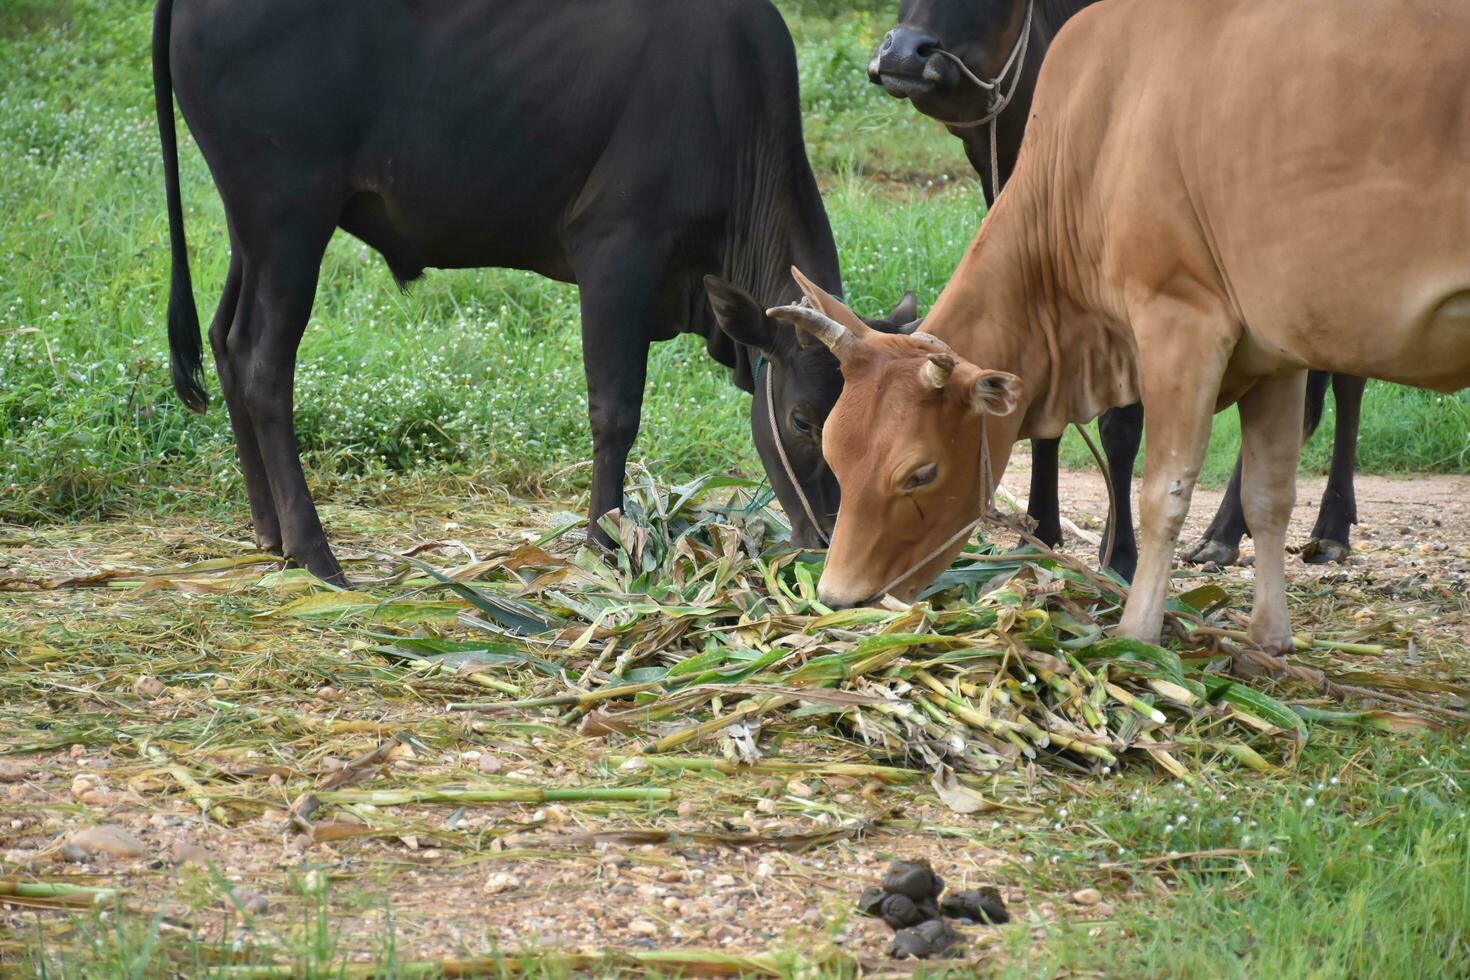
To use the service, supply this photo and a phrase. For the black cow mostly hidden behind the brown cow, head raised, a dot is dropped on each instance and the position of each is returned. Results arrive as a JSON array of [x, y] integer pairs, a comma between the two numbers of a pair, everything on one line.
[[950, 60]]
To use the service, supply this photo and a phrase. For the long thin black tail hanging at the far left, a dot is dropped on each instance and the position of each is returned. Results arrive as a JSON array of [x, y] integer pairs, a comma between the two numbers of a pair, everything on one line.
[[186, 350]]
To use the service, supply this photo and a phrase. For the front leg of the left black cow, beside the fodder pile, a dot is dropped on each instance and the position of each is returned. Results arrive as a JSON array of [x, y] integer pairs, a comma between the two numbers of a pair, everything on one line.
[[618, 283]]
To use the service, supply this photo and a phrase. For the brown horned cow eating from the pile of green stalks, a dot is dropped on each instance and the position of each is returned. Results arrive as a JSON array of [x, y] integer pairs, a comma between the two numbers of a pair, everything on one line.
[[1211, 201]]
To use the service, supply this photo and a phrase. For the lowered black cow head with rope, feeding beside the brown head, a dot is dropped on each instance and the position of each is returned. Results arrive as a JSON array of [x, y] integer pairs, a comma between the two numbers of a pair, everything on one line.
[[805, 383]]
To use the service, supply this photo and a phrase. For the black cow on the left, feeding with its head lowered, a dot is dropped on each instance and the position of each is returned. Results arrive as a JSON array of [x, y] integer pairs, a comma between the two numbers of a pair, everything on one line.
[[636, 148]]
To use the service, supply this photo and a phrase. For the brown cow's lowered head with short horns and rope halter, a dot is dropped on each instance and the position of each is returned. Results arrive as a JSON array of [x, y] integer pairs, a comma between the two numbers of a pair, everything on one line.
[[905, 443]]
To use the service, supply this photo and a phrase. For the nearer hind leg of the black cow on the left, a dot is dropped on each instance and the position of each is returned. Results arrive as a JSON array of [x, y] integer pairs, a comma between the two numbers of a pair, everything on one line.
[[276, 303]]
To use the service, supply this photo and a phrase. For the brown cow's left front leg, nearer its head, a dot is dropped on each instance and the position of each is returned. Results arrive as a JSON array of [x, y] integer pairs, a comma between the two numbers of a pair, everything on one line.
[[1181, 386]]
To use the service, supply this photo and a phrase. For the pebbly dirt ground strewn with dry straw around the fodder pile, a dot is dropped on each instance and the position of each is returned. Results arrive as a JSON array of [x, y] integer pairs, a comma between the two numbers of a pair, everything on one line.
[[743, 863]]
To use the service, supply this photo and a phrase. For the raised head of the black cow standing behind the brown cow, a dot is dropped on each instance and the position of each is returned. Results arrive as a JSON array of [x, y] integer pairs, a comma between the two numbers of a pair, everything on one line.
[[915, 60]]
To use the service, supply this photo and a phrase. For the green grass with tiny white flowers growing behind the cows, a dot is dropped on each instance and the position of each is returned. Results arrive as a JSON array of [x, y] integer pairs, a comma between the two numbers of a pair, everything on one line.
[[473, 375]]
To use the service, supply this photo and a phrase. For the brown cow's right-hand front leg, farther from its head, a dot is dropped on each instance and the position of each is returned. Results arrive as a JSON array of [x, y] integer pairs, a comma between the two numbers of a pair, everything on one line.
[[1271, 446]]
